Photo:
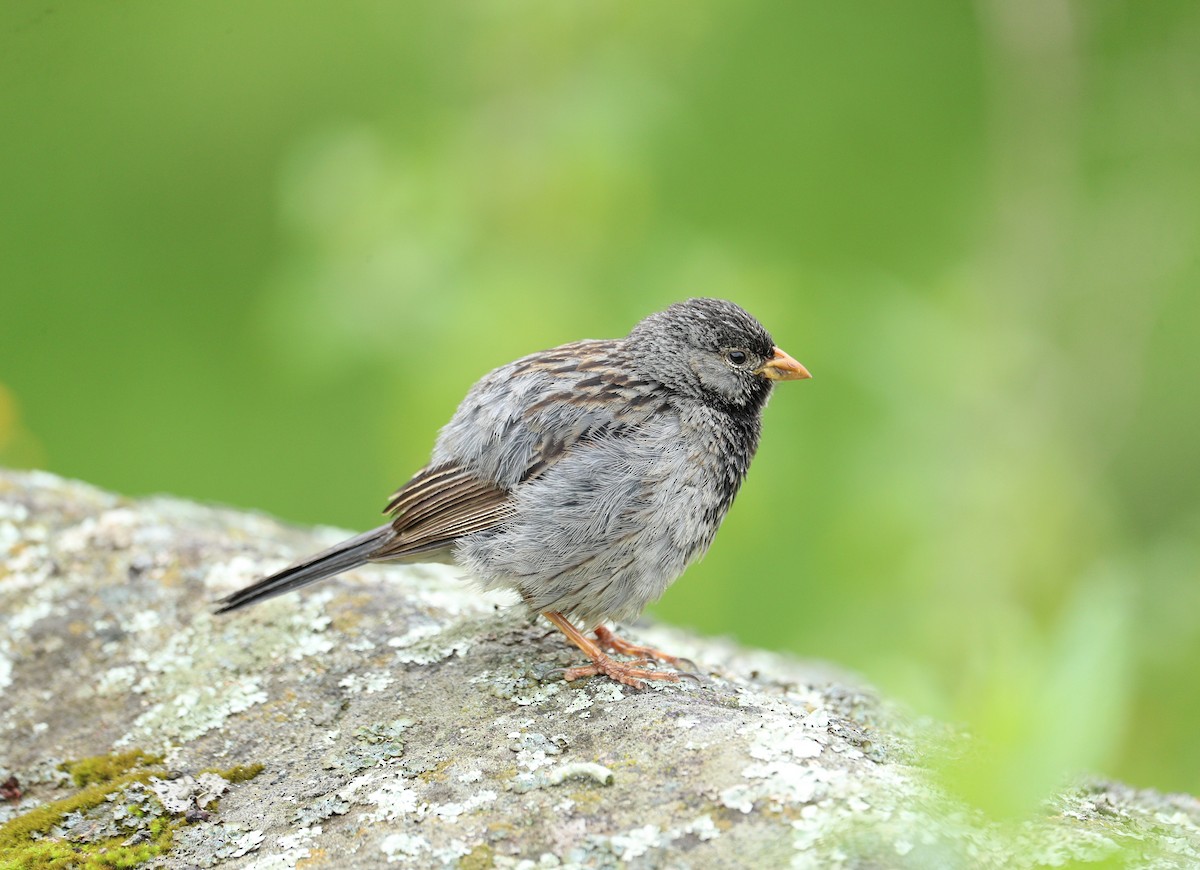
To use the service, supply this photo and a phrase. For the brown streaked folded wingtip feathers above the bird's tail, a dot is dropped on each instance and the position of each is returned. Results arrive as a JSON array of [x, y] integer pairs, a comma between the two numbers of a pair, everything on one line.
[[440, 505]]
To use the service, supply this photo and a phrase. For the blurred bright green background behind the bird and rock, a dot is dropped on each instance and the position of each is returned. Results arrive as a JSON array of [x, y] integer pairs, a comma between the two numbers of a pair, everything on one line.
[[255, 254]]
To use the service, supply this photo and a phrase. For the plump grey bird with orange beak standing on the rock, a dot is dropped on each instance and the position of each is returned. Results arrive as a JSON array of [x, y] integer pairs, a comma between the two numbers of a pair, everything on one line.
[[586, 478]]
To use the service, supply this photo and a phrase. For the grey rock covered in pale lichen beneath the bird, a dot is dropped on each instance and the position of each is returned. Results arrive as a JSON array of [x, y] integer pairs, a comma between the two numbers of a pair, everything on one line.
[[398, 717]]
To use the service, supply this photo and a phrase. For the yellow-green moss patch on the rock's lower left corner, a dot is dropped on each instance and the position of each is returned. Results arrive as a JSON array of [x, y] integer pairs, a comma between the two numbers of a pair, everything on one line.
[[97, 778]]
